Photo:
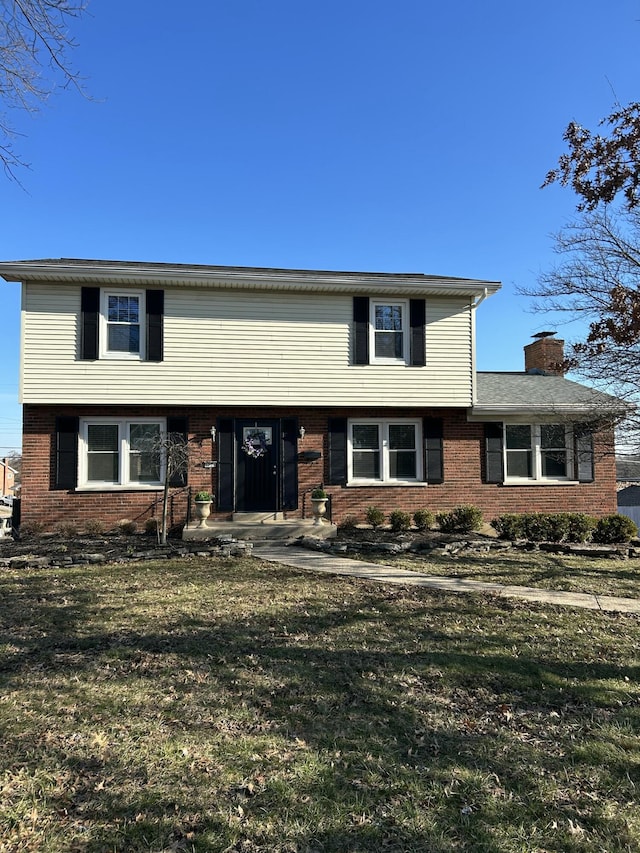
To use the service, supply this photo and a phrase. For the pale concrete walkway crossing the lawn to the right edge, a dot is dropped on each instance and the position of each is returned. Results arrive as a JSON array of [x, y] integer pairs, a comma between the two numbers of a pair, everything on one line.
[[317, 561]]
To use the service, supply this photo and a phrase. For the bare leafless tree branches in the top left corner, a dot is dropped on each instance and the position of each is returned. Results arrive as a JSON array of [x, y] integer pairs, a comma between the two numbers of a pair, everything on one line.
[[34, 59]]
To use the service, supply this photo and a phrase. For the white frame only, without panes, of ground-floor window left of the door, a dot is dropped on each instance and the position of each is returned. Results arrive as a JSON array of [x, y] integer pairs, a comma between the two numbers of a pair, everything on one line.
[[123, 481]]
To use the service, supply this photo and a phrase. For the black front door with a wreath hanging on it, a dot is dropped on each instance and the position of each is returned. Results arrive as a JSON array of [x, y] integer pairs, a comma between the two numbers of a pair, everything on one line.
[[257, 465]]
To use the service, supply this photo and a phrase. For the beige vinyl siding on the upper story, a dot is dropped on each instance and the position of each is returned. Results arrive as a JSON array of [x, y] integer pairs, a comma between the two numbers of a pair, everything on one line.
[[238, 348]]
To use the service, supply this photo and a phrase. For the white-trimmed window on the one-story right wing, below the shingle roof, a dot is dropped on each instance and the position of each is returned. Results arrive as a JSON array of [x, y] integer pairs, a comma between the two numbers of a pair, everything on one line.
[[537, 452]]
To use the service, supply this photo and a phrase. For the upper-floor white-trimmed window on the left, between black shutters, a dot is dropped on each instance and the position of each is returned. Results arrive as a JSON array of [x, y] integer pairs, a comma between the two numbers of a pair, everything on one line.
[[122, 316]]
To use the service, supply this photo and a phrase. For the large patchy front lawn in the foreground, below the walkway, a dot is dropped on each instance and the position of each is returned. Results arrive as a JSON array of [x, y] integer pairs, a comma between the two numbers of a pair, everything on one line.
[[233, 705]]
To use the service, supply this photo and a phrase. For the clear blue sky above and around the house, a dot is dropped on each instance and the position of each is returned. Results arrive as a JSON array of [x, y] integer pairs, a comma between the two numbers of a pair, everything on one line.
[[400, 137]]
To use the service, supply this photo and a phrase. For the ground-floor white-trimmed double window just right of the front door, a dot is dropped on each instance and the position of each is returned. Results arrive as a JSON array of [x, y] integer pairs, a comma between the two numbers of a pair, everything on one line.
[[384, 451]]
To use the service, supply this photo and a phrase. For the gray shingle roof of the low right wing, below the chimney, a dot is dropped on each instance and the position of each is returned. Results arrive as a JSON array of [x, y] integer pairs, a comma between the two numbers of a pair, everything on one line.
[[527, 392]]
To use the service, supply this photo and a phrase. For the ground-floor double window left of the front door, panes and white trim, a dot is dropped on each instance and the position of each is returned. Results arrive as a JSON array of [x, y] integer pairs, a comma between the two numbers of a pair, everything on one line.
[[125, 453]]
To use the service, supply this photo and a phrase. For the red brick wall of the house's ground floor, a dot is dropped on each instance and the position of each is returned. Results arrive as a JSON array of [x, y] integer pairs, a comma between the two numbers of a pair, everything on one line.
[[463, 468]]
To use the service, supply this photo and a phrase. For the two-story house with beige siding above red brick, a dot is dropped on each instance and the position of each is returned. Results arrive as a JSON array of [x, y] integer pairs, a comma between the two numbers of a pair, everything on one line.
[[281, 380]]
